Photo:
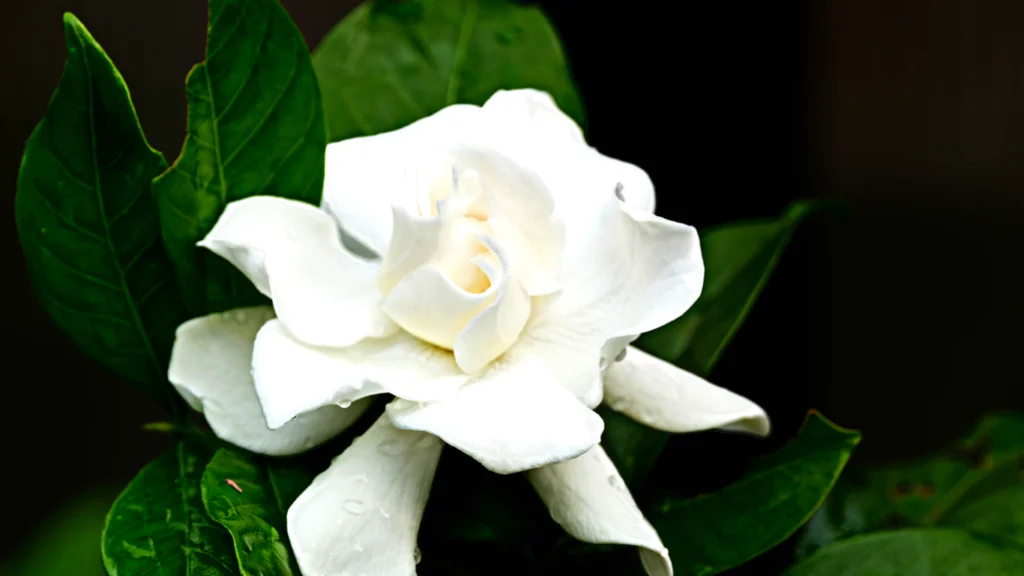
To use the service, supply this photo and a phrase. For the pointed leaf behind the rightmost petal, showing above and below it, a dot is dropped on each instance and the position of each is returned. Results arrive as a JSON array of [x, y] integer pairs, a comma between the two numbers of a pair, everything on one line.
[[740, 259]]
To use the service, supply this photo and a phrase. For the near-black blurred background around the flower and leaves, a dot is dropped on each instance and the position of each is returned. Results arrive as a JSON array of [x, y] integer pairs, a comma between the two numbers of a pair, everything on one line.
[[901, 319]]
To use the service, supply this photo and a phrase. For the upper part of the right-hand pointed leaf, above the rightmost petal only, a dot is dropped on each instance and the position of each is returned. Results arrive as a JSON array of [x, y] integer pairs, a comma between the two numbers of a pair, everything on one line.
[[739, 260]]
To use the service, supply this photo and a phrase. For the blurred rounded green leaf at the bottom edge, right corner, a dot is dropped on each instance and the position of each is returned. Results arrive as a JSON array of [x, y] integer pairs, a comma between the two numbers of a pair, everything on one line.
[[914, 553]]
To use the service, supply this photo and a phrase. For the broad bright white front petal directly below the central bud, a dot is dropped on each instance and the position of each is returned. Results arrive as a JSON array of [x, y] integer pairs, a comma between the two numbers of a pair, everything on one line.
[[516, 418]]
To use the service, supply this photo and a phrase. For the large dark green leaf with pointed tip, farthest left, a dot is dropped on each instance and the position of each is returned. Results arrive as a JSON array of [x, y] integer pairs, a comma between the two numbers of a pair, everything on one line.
[[89, 225]]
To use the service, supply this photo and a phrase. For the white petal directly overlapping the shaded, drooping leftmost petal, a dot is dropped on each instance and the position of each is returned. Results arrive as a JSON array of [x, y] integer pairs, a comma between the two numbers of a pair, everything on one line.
[[293, 378]]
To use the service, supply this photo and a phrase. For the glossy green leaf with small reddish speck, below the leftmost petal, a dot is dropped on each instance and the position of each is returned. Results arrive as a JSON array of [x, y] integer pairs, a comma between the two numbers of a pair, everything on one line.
[[255, 513]]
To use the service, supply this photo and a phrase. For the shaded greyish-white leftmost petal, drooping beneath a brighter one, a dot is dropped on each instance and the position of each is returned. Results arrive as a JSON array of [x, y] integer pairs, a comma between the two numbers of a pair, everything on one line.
[[210, 366]]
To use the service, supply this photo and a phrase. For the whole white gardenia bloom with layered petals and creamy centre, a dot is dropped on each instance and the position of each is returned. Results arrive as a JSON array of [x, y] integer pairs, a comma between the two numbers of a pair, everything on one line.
[[487, 268]]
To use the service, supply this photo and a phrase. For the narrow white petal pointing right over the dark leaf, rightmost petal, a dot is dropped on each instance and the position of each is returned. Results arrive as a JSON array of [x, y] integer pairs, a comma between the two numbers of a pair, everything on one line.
[[667, 398]]
